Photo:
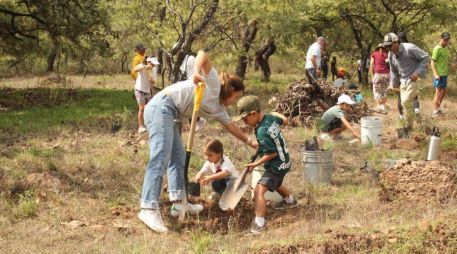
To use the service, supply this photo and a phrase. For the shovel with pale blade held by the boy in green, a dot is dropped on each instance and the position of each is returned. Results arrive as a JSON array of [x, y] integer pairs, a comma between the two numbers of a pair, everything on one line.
[[235, 190]]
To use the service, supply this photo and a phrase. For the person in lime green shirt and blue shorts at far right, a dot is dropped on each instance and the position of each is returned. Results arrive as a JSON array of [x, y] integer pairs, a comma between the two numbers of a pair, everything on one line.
[[439, 63]]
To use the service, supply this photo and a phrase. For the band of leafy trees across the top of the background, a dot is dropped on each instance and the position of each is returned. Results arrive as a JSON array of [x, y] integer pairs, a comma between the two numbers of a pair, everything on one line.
[[48, 33]]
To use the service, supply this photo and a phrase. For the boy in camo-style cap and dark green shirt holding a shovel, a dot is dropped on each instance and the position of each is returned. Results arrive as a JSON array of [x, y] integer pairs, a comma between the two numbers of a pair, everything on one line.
[[274, 155]]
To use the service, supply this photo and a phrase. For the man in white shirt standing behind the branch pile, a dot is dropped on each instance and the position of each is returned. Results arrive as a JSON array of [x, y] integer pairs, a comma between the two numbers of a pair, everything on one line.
[[313, 60]]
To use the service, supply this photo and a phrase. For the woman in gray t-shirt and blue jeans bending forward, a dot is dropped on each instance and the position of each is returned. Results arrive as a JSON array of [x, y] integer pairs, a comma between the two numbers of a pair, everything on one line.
[[166, 149]]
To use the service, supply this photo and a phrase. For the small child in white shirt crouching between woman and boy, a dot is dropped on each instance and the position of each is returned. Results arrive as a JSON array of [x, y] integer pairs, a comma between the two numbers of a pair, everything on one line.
[[218, 169]]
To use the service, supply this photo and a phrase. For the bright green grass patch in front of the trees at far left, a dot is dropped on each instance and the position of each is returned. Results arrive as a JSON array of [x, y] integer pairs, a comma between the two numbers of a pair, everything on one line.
[[100, 102]]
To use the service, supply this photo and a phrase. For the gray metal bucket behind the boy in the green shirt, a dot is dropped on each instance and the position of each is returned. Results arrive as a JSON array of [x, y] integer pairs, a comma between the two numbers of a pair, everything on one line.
[[318, 166]]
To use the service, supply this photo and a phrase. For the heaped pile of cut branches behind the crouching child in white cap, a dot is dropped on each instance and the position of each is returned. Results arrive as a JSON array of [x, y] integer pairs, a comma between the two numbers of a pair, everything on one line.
[[302, 102]]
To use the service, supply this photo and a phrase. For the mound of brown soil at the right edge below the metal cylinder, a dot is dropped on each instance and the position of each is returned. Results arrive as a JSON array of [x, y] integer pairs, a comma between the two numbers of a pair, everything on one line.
[[419, 180]]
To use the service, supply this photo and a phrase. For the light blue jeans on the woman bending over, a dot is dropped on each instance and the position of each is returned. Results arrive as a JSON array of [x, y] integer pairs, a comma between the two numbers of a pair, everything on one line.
[[166, 152]]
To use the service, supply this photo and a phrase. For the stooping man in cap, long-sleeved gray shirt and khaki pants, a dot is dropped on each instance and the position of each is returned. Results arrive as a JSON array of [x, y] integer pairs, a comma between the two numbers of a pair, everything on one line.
[[407, 63]]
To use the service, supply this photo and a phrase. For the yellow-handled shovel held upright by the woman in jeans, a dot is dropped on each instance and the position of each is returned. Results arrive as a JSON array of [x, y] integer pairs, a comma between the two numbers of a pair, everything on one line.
[[199, 92]]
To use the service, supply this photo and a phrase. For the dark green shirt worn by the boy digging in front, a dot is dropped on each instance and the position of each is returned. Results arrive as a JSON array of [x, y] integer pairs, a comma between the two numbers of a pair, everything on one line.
[[270, 141]]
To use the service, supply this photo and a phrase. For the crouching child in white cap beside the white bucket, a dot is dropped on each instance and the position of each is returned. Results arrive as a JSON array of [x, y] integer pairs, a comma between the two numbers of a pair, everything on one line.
[[334, 122]]
